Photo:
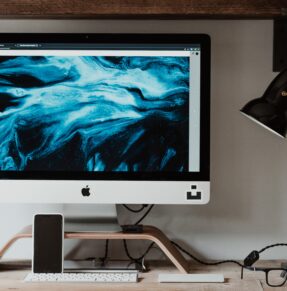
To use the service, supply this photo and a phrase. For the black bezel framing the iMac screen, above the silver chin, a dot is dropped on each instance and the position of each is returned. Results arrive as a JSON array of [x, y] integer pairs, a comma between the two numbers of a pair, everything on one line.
[[202, 39]]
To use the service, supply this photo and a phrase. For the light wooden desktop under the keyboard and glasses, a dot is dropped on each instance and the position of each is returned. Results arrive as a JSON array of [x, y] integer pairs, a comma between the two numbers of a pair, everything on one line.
[[253, 281]]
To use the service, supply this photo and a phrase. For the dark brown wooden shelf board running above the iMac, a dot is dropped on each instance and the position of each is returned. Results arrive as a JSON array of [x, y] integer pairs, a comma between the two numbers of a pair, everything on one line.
[[143, 9]]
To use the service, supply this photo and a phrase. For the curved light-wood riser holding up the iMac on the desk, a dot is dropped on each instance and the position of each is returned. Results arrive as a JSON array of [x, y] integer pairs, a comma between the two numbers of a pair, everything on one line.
[[149, 233]]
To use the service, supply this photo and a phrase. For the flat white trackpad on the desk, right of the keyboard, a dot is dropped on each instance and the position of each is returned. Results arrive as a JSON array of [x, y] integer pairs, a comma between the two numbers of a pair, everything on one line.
[[190, 278]]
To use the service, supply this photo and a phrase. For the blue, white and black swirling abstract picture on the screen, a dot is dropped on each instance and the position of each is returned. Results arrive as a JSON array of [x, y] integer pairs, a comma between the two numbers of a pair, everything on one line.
[[78, 113]]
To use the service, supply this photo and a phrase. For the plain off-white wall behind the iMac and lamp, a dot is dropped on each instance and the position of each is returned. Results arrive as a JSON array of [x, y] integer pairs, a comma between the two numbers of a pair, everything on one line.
[[249, 164]]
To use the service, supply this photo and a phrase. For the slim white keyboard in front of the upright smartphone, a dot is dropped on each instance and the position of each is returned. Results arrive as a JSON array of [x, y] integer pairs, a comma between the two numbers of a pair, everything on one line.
[[85, 277]]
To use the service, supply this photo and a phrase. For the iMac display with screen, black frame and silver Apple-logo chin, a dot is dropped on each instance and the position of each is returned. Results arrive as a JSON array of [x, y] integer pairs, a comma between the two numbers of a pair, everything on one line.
[[105, 118]]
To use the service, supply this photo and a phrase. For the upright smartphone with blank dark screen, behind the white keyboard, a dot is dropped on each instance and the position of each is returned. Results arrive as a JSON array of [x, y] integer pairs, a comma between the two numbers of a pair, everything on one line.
[[48, 236]]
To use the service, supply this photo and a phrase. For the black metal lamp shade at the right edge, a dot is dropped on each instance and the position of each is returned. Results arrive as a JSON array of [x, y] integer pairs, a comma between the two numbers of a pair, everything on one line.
[[270, 110]]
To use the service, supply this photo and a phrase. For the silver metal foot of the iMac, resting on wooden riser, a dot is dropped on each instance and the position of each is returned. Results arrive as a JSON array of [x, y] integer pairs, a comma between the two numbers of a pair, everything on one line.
[[91, 217]]
